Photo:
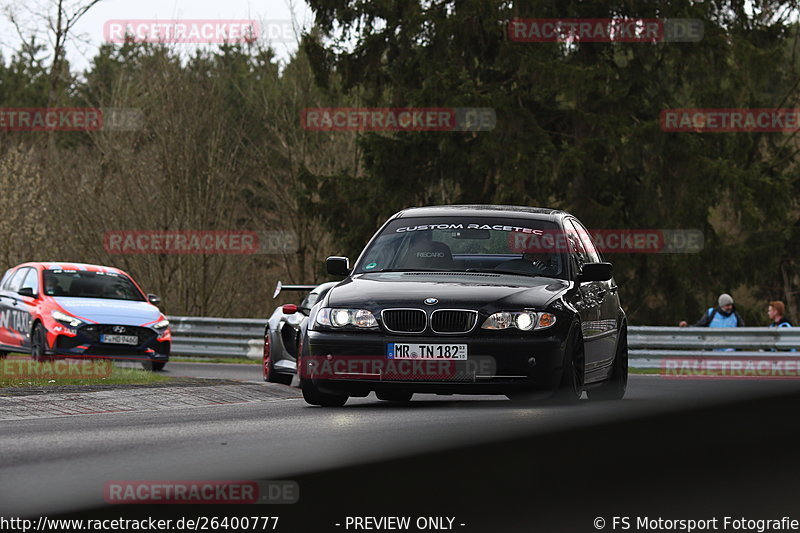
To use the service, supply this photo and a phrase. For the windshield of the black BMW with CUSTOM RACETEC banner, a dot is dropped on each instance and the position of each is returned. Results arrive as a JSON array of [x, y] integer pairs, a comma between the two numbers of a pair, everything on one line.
[[467, 244]]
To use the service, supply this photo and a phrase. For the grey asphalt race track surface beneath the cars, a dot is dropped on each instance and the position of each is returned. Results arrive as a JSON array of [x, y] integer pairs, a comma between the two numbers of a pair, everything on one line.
[[58, 464]]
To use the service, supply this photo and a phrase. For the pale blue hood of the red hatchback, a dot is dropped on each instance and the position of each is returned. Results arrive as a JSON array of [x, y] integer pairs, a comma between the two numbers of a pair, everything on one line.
[[107, 311]]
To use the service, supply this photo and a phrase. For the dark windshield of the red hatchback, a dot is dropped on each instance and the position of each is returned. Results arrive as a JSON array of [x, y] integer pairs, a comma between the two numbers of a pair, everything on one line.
[[83, 284]]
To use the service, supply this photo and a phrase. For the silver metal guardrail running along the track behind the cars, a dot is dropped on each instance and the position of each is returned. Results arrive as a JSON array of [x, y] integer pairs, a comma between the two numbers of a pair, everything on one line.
[[648, 345]]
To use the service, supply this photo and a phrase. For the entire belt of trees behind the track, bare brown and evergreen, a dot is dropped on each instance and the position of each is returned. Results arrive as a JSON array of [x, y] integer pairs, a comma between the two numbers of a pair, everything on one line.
[[578, 129]]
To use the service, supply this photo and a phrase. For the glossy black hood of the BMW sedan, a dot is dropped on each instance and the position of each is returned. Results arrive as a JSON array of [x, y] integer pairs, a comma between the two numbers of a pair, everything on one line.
[[468, 291]]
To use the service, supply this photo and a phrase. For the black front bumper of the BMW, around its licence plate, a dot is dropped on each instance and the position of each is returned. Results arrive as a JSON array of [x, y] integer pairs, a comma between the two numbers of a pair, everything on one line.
[[357, 363]]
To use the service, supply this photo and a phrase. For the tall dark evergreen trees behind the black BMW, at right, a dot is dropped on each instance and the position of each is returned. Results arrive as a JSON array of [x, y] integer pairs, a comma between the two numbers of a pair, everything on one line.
[[578, 129]]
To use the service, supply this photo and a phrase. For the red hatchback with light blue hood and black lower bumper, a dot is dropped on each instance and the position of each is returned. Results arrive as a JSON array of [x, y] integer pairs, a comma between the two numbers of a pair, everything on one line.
[[80, 310]]
